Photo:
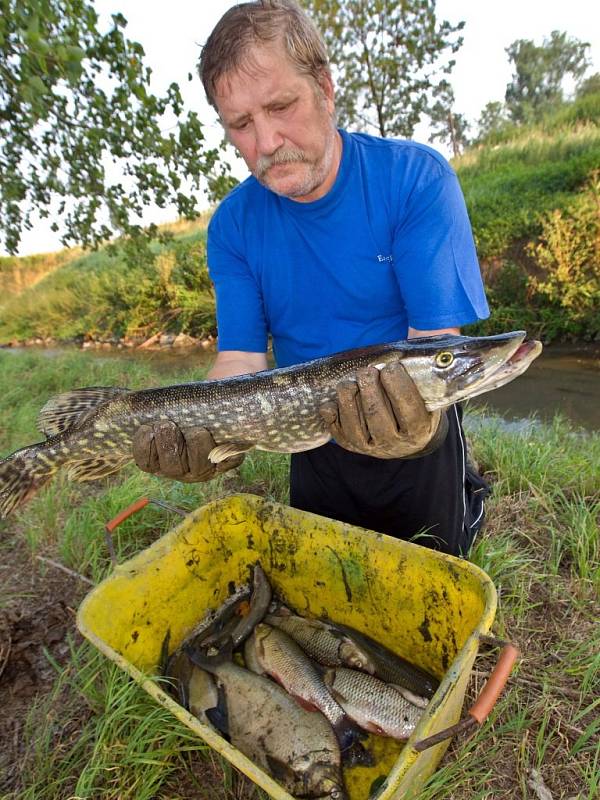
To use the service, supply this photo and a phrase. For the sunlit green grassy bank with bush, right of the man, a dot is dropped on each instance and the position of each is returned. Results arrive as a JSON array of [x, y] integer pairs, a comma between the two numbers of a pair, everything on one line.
[[533, 194]]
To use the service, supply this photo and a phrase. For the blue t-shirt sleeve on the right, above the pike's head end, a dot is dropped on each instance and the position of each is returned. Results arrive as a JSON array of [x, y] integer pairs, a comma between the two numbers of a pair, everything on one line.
[[435, 258]]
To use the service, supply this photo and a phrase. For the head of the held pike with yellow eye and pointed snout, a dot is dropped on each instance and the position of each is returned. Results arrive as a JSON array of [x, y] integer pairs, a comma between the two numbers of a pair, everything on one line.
[[448, 369]]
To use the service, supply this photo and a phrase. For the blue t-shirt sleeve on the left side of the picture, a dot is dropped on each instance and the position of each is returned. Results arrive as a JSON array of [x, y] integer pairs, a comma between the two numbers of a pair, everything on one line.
[[241, 323]]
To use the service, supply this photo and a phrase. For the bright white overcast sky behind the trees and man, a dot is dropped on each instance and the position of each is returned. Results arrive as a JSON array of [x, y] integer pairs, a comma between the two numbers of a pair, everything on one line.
[[172, 33]]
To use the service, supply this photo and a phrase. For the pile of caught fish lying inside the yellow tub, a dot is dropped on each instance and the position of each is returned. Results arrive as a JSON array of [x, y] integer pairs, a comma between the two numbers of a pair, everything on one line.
[[295, 695]]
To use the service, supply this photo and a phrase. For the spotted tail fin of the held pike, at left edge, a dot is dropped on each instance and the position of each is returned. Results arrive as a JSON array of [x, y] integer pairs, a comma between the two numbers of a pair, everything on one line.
[[22, 474]]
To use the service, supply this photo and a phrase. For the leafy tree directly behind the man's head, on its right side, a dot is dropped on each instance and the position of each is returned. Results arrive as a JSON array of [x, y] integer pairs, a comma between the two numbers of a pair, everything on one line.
[[385, 55]]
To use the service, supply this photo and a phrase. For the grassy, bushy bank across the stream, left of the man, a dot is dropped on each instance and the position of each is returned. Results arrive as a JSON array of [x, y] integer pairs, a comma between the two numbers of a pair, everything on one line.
[[99, 296]]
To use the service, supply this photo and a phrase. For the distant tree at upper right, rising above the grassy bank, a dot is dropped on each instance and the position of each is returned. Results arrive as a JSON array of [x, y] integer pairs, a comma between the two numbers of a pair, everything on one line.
[[539, 73]]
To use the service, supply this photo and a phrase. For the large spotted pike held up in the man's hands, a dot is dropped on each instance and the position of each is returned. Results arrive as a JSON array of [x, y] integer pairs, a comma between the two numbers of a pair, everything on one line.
[[89, 431]]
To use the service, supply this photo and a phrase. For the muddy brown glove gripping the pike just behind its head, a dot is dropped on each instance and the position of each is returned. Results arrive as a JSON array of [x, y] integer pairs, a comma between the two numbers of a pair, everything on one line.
[[382, 414]]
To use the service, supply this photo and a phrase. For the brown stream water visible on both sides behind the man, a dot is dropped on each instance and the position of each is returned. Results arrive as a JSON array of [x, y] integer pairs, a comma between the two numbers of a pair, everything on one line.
[[562, 381]]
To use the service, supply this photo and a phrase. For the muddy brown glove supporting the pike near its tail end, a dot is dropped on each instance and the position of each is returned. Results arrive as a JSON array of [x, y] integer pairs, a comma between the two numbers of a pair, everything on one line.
[[179, 453]]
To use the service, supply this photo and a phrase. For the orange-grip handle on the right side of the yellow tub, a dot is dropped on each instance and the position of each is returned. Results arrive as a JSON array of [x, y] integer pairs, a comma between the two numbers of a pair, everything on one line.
[[488, 696]]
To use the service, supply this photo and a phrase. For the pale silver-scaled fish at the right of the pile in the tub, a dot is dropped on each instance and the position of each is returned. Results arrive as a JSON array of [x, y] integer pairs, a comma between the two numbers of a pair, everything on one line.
[[374, 705]]
